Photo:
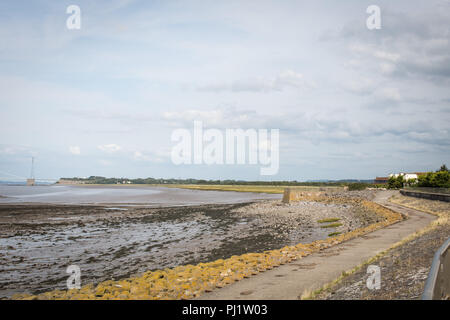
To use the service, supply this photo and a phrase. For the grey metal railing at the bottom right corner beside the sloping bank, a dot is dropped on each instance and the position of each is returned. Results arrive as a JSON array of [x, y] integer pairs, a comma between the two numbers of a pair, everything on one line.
[[437, 286]]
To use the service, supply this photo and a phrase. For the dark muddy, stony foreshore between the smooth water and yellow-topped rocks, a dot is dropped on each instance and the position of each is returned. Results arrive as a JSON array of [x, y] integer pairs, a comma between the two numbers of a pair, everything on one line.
[[39, 241]]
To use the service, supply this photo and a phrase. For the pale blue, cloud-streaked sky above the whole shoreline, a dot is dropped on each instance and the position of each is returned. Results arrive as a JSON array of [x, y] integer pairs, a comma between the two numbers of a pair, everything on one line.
[[104, 99]]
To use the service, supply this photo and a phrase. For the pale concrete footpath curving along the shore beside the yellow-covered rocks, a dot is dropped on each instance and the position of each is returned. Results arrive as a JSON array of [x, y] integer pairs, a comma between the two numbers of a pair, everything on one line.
[[290, 281]]
